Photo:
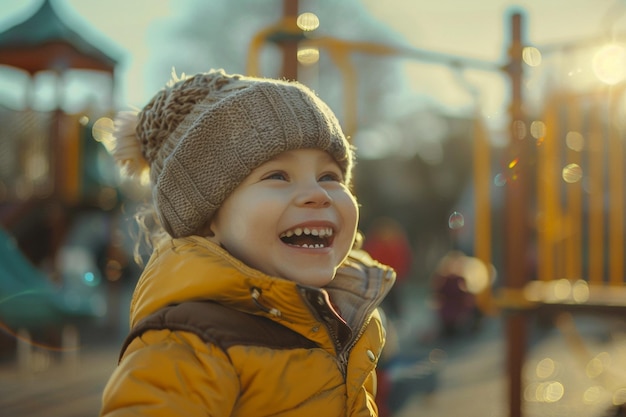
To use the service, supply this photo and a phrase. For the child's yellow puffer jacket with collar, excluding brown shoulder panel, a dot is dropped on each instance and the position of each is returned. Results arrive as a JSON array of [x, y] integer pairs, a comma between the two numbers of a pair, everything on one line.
[[175, 373]]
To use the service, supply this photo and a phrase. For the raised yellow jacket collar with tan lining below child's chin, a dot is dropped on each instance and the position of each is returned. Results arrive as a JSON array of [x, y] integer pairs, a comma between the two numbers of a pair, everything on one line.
[[203, 270]]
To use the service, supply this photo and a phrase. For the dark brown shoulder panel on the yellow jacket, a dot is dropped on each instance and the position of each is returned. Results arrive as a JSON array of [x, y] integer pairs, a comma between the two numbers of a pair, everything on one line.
[[221, 326]]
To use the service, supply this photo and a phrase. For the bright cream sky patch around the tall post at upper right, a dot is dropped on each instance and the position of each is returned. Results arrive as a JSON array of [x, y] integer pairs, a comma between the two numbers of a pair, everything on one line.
[[480, 29]]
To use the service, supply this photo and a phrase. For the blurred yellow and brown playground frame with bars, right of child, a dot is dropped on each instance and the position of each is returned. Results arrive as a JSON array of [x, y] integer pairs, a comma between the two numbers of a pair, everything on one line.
[[562, 226]]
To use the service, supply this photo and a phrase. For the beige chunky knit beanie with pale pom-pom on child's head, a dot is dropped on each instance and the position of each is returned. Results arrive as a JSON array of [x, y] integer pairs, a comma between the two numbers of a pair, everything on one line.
[[200, 136]]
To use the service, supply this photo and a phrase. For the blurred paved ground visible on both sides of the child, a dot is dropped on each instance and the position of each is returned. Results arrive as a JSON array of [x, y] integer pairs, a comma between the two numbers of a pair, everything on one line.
[[564, 376]]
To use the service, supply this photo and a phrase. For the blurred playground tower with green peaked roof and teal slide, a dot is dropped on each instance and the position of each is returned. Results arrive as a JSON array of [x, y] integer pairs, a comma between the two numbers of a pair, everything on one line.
[[50, 179]]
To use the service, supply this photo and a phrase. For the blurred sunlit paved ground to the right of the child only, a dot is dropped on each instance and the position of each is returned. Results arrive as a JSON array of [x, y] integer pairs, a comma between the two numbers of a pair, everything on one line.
[[574, 369]]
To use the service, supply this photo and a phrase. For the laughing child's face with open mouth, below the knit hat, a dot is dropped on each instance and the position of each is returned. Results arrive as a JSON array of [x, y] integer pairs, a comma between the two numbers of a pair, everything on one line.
[[292, 217]]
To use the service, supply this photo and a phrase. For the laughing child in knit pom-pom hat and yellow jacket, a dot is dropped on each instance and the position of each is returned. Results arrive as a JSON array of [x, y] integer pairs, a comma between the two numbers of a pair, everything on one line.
[[254, 303]]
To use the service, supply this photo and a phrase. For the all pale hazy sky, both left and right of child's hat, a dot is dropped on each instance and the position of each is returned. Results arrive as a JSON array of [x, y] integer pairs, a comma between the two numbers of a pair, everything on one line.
[[465, 29]]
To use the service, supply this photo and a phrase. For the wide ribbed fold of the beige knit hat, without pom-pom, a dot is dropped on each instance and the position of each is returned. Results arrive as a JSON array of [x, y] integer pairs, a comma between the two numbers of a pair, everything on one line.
[[219, 143]]
